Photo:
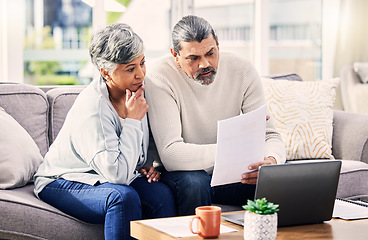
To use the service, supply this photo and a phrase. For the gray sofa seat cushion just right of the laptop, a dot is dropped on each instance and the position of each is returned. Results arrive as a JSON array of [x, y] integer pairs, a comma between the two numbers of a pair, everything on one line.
[[353, 180]]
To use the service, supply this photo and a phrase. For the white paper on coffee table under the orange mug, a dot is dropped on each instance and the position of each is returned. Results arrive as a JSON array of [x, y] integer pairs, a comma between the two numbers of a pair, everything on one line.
[[179, 227]]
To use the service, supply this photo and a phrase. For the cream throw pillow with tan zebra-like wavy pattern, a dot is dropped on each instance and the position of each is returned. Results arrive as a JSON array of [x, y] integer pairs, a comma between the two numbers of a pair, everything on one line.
[[303, 115]]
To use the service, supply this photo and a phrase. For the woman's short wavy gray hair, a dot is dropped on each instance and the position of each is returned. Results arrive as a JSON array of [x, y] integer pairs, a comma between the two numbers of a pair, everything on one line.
[[114, 44]]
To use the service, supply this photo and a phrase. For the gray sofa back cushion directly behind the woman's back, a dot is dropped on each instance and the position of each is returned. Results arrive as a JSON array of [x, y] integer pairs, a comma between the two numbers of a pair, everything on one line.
[[60, 100]]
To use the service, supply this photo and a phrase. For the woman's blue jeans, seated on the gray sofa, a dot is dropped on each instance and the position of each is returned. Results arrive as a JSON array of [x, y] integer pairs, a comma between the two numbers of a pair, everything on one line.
[[111, 204]]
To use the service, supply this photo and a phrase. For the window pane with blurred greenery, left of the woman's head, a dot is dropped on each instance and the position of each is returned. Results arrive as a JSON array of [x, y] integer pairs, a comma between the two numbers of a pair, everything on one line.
[[57, 35]]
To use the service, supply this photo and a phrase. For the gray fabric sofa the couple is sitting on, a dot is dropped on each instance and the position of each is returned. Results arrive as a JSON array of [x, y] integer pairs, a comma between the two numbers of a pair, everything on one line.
[[41, 113]]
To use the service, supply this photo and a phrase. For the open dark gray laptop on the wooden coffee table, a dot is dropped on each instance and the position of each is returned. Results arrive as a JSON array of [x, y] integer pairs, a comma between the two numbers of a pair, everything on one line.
[[304, 190]]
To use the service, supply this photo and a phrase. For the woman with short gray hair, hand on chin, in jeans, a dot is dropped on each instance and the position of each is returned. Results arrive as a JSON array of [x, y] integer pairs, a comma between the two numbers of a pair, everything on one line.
[[98, 168]]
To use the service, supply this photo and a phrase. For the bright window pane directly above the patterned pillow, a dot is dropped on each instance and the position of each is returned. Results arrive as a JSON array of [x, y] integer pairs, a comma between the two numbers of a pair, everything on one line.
[[295, 39]]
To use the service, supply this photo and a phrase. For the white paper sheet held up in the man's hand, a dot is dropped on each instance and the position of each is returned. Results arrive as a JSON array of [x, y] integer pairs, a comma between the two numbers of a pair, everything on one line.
[[240, 142]]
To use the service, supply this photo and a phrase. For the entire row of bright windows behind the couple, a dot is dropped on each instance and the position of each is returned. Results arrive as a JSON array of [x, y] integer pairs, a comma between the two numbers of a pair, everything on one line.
[[52, 37]]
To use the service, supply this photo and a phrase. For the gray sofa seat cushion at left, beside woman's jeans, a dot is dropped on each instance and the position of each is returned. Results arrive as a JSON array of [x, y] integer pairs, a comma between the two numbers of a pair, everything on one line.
[[28, 217]]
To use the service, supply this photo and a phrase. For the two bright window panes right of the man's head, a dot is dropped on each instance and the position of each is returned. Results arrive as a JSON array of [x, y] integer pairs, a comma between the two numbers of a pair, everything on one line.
[[293, 40]]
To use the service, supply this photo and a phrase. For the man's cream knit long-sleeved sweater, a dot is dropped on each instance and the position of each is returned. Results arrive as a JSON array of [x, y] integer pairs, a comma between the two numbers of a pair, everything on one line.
[[183, 114]]
